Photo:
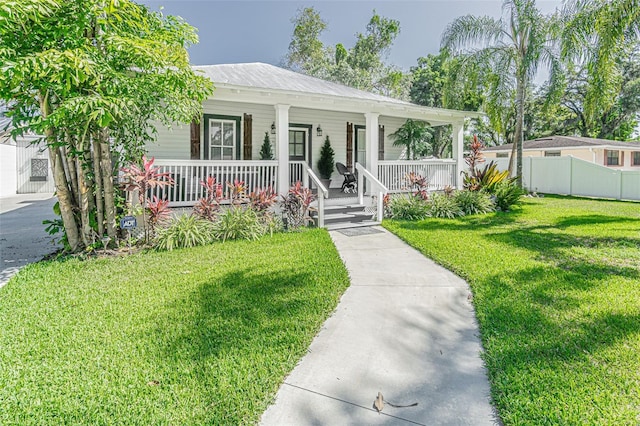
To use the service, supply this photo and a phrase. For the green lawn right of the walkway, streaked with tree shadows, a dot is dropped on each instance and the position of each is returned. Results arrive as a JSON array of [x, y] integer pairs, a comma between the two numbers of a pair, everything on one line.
[[556, 288]]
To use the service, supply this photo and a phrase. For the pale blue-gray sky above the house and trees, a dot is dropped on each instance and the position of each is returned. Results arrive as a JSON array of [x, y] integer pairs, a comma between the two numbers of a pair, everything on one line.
[[260, 30]]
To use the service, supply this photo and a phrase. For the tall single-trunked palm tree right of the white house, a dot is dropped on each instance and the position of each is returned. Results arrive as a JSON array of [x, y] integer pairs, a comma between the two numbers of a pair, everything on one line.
[[510, 50]]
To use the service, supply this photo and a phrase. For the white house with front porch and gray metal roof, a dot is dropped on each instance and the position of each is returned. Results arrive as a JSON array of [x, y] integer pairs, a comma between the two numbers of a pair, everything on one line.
[[297, 112]]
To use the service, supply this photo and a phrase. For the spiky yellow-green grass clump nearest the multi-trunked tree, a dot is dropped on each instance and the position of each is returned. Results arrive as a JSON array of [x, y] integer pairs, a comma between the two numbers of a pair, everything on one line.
[[184, 231]]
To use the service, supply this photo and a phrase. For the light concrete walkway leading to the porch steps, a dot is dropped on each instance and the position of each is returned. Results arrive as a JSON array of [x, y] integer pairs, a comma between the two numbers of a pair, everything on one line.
[[405, 327]]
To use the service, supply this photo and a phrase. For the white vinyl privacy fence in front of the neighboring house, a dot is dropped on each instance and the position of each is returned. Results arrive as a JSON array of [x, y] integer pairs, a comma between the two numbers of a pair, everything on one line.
[[572, 176]]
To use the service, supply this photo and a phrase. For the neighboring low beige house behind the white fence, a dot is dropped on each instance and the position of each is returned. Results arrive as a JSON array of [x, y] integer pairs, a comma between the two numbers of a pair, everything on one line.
[[614, 154]]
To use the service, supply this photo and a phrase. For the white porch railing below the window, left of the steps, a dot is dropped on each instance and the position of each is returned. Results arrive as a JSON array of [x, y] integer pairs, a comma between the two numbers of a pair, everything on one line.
[[187, 175]]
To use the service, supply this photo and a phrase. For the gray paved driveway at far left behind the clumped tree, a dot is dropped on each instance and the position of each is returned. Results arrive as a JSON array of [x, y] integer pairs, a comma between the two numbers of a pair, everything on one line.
[[23, 239]]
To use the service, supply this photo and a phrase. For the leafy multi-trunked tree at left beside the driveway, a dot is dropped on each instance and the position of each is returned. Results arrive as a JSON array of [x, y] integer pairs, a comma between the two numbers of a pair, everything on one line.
[[90, 75]]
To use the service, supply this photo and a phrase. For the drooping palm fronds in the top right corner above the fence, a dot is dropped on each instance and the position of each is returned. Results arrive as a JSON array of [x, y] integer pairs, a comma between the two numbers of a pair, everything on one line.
[[598, 33]]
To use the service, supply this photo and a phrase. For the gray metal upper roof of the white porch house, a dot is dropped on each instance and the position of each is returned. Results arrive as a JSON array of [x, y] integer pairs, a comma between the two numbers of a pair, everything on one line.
[[265, 76]]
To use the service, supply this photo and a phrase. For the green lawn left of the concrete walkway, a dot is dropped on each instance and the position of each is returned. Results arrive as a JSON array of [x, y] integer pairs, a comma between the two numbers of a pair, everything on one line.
[[197, 336]]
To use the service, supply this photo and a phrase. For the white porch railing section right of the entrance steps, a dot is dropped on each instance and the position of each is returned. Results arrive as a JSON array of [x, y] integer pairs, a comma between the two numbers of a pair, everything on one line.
[[439, 173]]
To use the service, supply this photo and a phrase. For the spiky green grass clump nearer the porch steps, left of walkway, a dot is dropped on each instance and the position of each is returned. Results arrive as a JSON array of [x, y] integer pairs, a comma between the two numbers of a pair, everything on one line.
[[237, 223]]
